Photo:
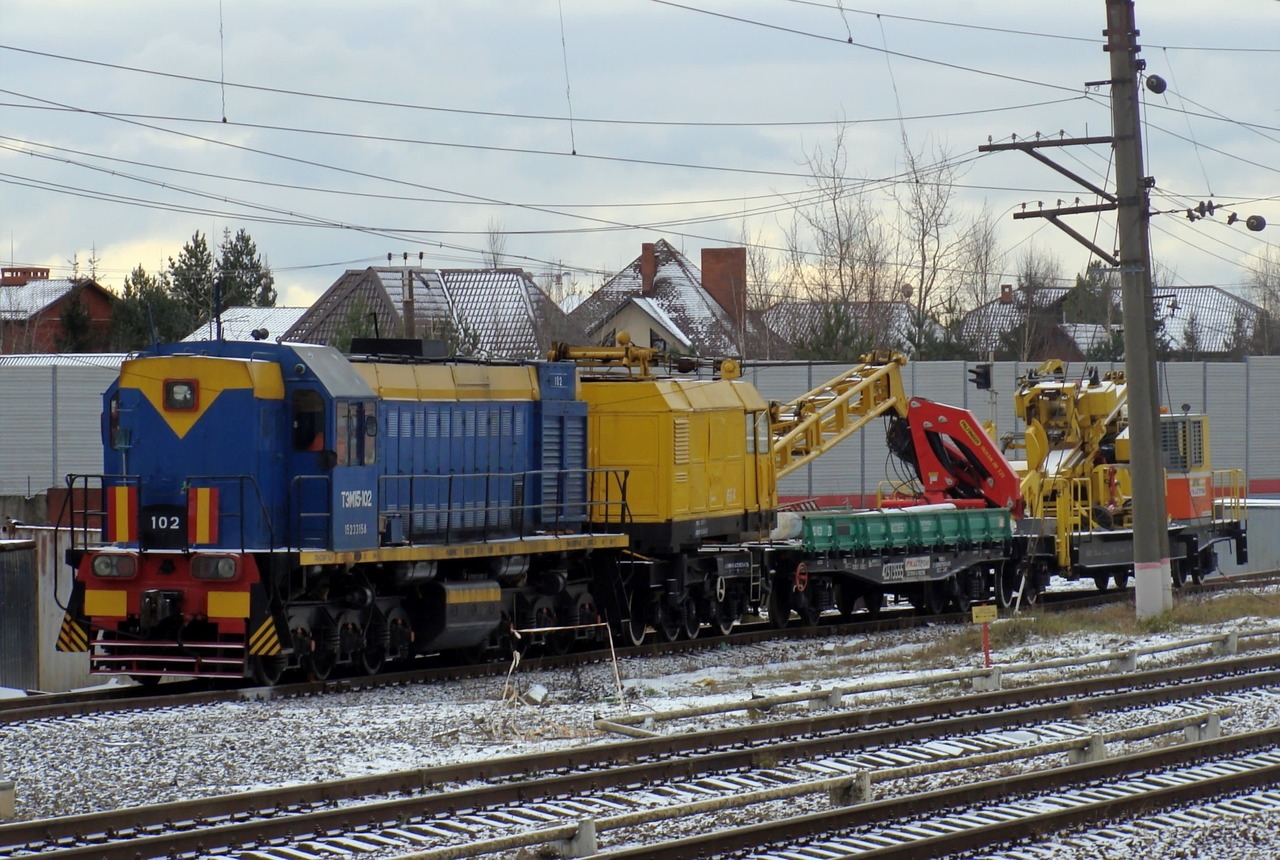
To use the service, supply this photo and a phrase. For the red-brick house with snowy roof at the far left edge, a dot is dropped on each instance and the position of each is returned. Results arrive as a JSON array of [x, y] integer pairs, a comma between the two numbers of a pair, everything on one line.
[[34, 308]]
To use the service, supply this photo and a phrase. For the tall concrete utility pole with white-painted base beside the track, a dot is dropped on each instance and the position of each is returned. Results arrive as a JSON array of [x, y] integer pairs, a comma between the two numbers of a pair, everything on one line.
[[1148, 472]]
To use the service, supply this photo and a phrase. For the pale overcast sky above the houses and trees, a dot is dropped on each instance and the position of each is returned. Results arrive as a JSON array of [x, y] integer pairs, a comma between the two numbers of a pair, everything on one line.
[[354, 130]]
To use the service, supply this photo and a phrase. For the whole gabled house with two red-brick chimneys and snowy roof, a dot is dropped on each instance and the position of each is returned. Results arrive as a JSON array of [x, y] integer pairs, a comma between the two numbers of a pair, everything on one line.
[[665, 301]]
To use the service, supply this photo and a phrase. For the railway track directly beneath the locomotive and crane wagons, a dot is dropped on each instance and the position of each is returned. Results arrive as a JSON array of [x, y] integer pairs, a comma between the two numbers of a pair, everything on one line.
[[39, 707]]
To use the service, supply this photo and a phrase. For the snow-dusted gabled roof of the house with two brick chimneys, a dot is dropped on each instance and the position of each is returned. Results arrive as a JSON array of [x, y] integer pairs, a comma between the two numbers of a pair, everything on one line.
[[678, 291]]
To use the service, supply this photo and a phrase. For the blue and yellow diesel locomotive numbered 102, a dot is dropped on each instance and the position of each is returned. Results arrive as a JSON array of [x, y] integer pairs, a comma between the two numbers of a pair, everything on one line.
[[275, 506]]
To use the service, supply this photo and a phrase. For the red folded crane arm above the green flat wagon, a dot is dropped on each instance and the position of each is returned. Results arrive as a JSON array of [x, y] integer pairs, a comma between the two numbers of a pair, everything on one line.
[[954, 458]]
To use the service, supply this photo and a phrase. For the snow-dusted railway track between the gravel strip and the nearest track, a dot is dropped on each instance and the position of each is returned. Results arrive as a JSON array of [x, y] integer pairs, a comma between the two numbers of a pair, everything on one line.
[[456, 807]]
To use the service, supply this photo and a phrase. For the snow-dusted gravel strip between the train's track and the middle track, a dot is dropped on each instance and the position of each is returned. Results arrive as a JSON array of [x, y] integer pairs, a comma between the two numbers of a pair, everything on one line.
[[100, 762]]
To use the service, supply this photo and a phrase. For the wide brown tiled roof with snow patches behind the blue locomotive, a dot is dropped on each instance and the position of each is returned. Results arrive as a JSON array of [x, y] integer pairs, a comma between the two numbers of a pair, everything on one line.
[[487, 313]]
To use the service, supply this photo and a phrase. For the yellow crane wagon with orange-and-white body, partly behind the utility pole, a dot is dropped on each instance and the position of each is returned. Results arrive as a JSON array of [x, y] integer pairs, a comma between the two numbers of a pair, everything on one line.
[[1073, 460]]
